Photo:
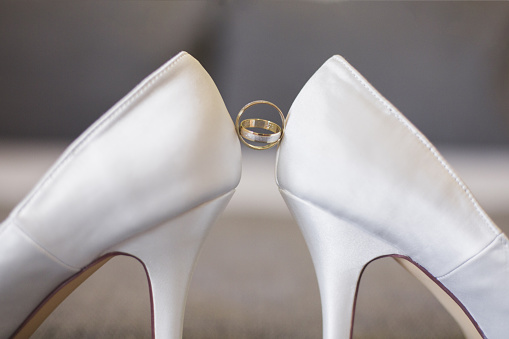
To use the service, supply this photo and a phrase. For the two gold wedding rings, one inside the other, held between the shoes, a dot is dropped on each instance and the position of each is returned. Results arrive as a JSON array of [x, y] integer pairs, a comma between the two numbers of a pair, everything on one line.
[[246, 134]]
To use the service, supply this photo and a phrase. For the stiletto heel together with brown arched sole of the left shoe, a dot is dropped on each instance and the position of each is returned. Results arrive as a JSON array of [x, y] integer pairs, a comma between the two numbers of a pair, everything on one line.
[[168, 253]]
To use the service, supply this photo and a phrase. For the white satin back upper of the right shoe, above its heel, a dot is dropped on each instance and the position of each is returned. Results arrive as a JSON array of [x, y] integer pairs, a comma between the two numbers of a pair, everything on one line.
[[345, 151]]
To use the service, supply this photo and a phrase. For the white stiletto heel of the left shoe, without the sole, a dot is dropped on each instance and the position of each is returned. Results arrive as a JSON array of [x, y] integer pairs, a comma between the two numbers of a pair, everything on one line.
[[168, 253]]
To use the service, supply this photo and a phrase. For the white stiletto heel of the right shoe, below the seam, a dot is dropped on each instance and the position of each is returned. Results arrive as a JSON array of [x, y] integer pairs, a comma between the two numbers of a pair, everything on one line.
[[340, 251]]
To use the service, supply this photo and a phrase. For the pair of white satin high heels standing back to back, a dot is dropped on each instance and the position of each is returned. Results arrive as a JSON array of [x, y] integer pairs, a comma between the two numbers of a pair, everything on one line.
[[152, 174]]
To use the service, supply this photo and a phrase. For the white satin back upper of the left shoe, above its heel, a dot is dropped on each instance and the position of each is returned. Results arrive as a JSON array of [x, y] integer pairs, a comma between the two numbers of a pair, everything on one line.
[[168, 146]]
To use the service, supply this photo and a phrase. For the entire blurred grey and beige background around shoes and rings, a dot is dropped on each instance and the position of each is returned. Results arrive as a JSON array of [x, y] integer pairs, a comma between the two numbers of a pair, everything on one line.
[[445, 65]]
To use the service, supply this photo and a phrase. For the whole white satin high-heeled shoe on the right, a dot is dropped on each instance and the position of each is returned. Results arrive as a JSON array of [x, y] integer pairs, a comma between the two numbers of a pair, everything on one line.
[[364, 183]]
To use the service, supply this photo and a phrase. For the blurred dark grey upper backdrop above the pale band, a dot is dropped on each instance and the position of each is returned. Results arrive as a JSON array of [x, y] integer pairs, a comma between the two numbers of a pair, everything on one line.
[[444, 64]]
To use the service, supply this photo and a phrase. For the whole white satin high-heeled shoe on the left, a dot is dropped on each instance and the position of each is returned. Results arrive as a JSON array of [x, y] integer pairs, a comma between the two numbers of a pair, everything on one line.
[[145, 180]]
